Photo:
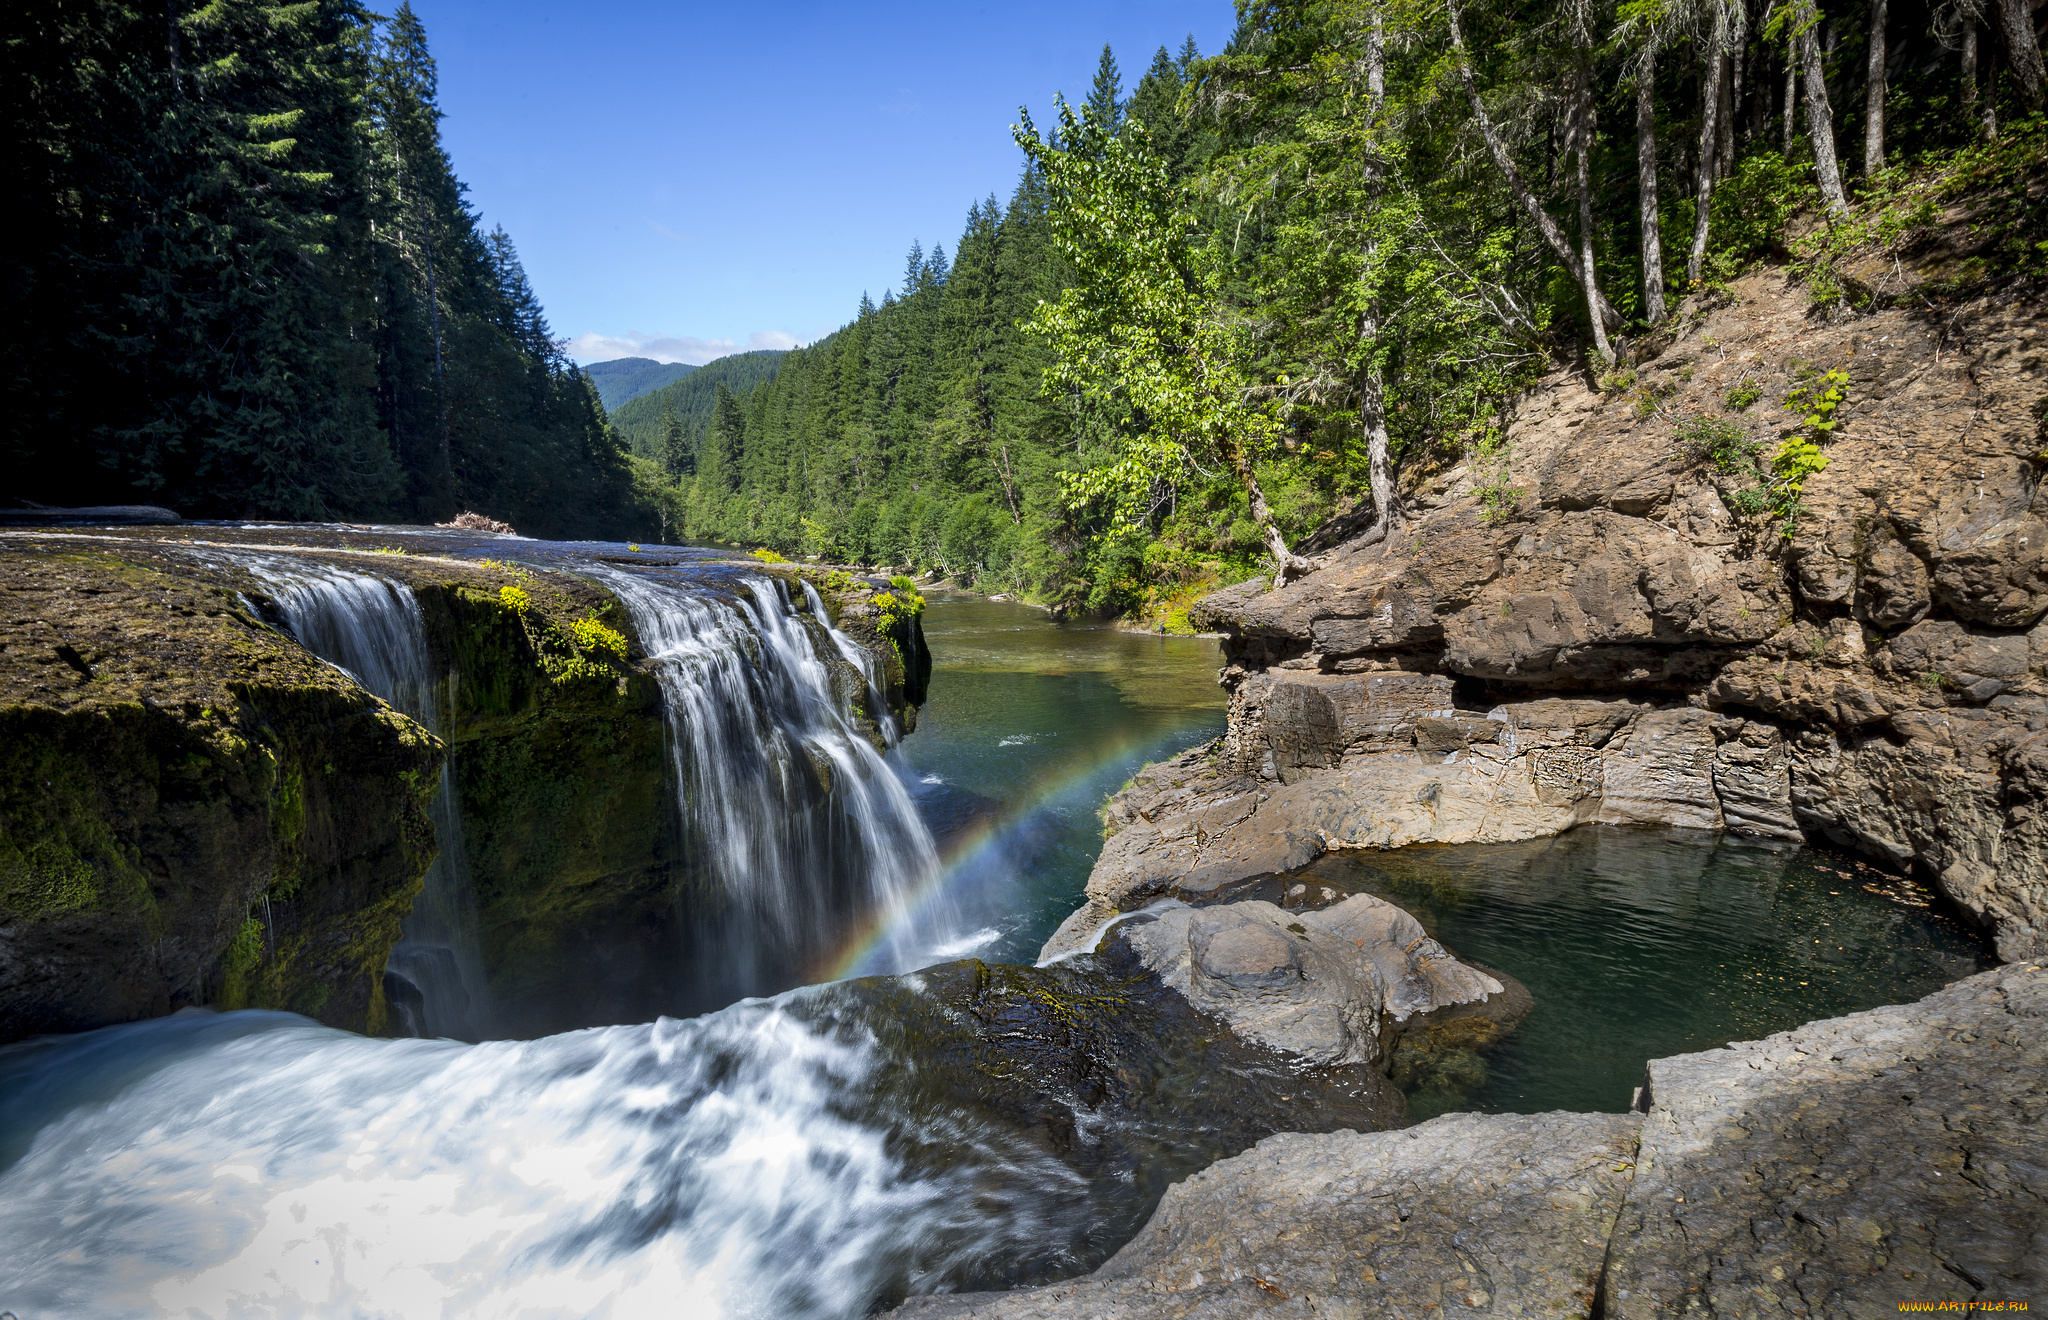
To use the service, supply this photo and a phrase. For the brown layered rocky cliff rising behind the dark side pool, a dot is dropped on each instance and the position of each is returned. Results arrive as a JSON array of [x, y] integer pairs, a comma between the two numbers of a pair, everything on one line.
[[1611, 625]]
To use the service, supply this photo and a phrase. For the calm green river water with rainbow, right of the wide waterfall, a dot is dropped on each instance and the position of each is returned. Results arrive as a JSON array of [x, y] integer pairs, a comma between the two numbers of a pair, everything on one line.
[[1029, 728]]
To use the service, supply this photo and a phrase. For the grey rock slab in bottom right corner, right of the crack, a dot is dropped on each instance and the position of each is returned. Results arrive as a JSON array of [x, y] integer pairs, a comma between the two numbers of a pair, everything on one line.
[[1897, 1155]]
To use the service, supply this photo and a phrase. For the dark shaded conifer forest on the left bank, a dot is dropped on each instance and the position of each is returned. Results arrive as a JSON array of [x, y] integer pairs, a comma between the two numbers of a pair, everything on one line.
[[245, 281]]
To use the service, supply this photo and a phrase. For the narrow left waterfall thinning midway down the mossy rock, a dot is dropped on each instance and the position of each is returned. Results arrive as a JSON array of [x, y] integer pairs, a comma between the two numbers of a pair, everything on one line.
[[372, 629]]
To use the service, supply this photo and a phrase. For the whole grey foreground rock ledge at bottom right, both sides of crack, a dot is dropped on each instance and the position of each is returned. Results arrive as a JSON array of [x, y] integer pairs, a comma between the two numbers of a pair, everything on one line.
[[1838, 1170]]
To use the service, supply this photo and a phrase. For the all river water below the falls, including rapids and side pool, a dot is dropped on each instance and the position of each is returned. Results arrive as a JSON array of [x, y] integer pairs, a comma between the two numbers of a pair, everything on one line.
[[830, 1149]]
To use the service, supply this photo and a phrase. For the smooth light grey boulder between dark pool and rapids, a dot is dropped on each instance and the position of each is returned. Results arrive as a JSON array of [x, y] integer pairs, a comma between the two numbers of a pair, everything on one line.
[[1318, 985]]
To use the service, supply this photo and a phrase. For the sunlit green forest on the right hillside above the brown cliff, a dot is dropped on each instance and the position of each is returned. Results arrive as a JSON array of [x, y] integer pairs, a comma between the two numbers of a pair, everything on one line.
[[1336, 255]]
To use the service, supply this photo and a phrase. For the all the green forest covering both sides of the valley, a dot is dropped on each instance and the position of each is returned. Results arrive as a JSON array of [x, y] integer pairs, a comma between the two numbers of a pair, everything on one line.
[[1228, 306]]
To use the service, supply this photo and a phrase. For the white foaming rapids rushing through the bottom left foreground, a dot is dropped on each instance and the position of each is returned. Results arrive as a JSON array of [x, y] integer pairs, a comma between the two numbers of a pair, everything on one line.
[[736, 1168]]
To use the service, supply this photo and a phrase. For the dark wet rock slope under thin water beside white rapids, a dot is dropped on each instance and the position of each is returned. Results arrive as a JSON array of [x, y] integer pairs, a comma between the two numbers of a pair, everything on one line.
[[1093, 1067]]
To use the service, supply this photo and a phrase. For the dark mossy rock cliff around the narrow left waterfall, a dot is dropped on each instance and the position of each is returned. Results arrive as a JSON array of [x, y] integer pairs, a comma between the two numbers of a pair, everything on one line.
[[198, 811]]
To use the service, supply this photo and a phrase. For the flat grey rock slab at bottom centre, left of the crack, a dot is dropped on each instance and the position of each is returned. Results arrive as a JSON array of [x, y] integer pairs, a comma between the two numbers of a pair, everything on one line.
[[1498, 1215]]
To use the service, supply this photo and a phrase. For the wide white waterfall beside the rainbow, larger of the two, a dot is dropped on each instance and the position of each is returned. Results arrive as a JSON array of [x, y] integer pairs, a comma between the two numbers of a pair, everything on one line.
[[802, 830]]
